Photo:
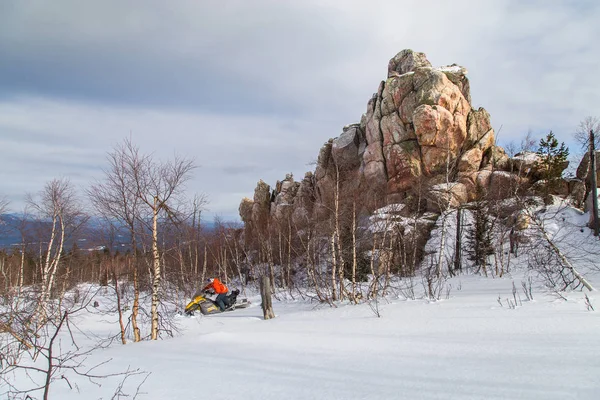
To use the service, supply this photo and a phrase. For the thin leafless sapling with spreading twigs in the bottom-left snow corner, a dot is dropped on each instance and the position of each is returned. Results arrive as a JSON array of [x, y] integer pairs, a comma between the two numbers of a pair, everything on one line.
[[39, 354]]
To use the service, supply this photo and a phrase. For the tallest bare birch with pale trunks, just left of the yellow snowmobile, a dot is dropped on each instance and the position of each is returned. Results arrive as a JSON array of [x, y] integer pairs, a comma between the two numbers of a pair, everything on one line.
[[139, 190]]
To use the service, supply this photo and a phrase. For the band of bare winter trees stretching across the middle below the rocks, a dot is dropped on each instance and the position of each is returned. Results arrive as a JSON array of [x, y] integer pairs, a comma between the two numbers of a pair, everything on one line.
[[333, 255]]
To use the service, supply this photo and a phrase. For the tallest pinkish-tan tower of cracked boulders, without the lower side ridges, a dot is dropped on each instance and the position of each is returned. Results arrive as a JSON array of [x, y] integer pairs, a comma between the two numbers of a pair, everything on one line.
[[420, 122]]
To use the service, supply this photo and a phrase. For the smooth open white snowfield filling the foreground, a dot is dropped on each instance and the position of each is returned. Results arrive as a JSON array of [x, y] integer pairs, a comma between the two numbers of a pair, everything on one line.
[[465, 347]]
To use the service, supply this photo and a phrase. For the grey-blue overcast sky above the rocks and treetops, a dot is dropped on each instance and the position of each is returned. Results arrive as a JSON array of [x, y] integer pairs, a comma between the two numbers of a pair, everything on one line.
[[252, 89]]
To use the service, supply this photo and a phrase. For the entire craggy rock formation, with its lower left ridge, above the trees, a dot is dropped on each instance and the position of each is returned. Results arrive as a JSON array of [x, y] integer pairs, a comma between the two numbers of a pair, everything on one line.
[[419, 131]]
